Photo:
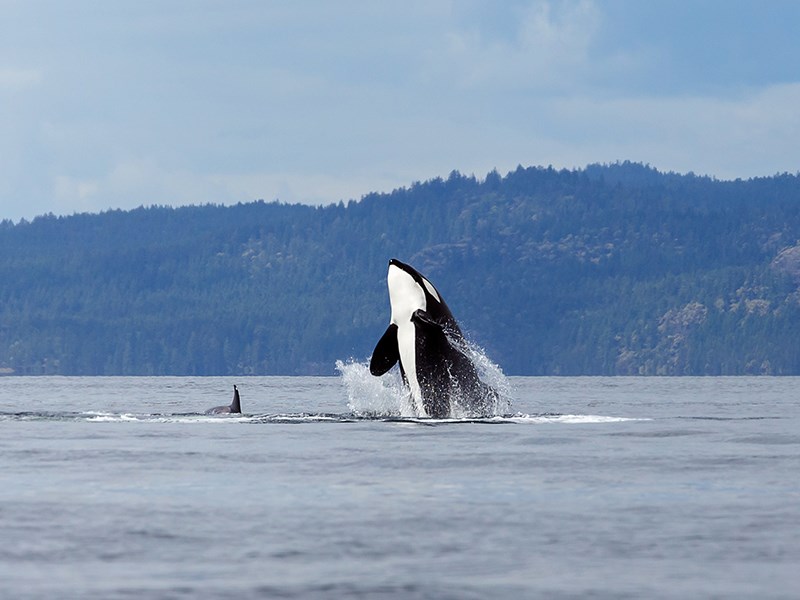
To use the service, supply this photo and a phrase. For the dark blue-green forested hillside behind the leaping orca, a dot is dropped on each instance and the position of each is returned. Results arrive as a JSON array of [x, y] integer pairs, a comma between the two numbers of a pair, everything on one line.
[[612, 269]]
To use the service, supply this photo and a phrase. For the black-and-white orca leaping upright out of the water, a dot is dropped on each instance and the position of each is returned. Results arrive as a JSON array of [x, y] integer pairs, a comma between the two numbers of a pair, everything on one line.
[[424, 337]]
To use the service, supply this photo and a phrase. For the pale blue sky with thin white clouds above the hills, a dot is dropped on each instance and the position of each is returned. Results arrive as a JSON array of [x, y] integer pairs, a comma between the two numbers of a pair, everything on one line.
[[115, 105]]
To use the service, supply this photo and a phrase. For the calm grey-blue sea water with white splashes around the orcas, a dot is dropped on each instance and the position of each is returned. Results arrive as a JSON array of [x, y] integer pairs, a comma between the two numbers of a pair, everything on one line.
[[327, 488]]
